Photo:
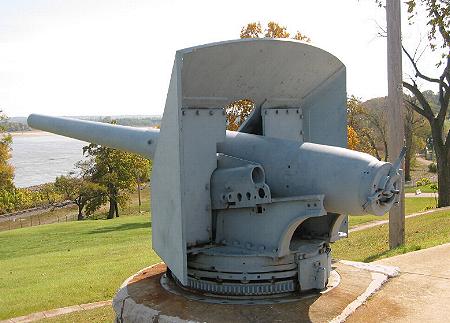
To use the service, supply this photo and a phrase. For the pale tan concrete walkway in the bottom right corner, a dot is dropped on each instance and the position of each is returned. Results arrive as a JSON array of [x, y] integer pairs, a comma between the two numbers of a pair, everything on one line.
[[421, 293]]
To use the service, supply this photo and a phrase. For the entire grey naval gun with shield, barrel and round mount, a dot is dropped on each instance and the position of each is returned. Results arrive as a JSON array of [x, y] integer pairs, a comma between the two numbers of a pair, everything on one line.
[[250, 213]]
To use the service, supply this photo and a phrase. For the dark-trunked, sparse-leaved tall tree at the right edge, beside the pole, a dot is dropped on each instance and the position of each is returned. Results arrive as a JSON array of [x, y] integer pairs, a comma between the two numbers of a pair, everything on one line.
[[438, 28]]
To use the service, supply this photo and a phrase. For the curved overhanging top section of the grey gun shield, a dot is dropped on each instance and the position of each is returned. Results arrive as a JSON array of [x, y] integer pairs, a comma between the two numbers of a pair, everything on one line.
[[224, 72]]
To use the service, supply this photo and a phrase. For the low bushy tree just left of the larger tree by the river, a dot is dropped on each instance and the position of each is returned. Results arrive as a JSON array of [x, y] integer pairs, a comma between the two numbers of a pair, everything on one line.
[[78, 190]]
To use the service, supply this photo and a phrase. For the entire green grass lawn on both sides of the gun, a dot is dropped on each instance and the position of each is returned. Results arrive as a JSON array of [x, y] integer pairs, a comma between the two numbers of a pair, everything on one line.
[[63, 264]]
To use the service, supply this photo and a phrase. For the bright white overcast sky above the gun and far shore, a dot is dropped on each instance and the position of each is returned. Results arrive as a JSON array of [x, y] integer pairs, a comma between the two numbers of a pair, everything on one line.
[[114, 57]]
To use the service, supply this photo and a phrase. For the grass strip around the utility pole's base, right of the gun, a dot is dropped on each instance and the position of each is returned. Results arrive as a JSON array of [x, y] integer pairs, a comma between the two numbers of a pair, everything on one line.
[[423, 231]]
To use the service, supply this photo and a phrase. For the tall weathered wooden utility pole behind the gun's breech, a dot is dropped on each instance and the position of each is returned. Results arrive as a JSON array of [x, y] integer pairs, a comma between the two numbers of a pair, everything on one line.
[[395, 114]]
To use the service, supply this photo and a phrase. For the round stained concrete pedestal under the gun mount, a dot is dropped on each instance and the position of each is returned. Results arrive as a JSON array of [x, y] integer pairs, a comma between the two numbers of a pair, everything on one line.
[[141, 298]]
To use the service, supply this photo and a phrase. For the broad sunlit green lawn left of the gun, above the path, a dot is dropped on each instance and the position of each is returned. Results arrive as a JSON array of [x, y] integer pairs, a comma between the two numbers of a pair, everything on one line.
[[63, 264]]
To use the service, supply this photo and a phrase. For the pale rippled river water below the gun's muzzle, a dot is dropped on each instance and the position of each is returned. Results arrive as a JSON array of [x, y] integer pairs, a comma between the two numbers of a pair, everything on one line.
[[40, 157]]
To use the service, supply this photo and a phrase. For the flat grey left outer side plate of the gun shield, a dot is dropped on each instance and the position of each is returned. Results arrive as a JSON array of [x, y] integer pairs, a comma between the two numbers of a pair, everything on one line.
[[168, 233]]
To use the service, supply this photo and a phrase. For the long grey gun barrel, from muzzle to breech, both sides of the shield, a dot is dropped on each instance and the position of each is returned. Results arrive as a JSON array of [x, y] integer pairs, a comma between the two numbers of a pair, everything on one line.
[[351, 181]]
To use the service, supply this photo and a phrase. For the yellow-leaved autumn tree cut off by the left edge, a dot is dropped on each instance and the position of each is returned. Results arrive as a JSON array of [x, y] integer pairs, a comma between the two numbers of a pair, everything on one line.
[[6, 170]]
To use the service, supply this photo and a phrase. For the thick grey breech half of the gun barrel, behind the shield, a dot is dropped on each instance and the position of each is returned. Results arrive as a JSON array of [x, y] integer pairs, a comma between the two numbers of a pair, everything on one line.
[[315, 169]]
